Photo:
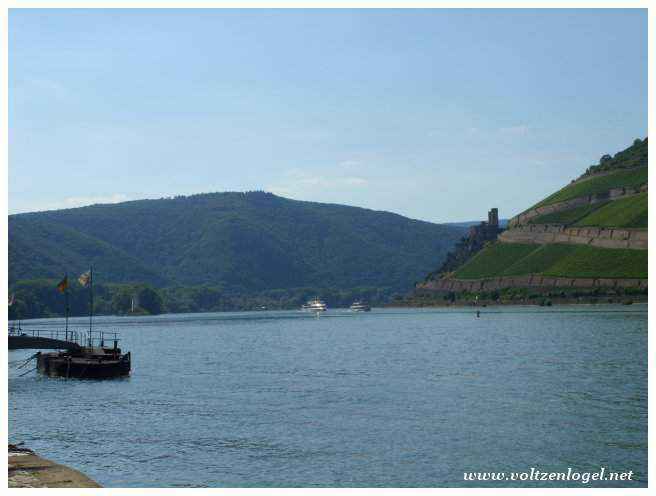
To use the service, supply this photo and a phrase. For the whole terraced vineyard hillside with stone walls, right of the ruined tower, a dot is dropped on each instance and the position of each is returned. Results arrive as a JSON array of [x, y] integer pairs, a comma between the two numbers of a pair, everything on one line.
[[593, 236]]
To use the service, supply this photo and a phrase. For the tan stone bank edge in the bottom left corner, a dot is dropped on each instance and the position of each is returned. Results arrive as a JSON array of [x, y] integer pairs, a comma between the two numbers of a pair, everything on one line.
[[27, 469]]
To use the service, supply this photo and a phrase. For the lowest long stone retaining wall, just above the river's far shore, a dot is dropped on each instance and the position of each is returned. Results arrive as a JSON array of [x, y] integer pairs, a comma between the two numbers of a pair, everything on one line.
[[528, 281]]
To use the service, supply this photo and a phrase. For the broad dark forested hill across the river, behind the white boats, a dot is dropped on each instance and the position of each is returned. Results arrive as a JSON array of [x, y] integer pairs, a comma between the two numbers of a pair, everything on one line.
[[239, 241]]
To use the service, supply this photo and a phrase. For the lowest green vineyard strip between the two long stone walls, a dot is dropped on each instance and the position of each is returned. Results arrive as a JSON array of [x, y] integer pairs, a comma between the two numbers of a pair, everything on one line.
[[513, 259]]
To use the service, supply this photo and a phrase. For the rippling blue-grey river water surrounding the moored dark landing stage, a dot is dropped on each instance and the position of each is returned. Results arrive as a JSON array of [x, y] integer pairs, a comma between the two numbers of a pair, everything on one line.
[[391, 398]]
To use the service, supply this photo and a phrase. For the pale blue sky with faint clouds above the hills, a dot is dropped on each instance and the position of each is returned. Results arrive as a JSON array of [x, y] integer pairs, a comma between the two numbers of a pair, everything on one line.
[[433, 114]]
